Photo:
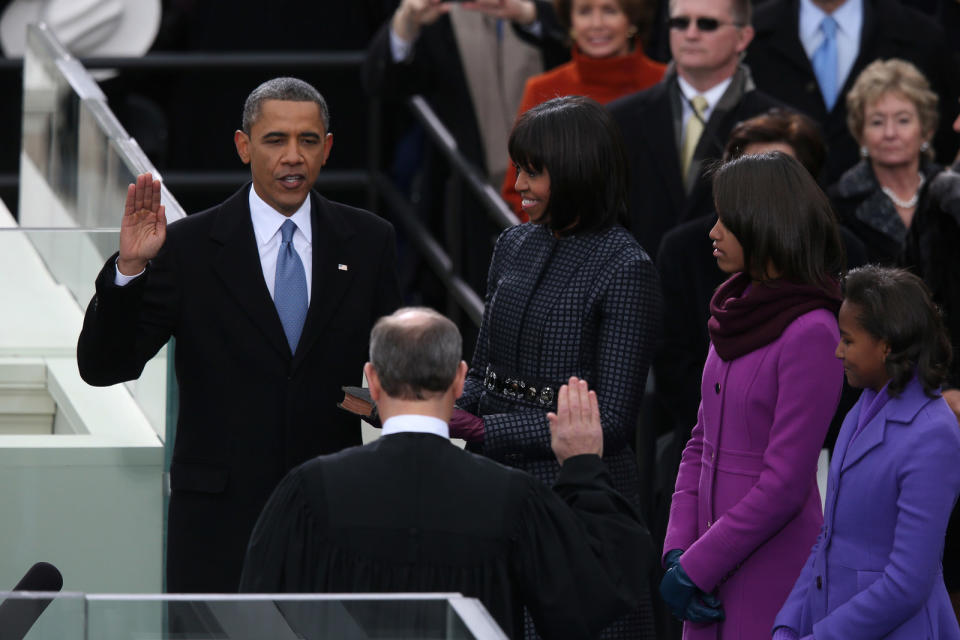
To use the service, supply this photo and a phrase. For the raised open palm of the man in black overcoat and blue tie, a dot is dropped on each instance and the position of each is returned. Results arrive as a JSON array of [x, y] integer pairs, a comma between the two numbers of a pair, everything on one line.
[[143, 228]]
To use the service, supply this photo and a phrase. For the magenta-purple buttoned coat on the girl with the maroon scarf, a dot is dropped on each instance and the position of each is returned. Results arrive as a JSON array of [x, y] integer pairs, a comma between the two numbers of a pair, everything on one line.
[[746, 507]]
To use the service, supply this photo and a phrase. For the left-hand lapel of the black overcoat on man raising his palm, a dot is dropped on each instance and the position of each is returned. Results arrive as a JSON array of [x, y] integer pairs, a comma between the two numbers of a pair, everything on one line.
[[237, 264]]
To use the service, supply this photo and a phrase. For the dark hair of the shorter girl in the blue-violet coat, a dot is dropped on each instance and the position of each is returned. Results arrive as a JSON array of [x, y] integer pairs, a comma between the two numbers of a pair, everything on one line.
[[895, 306]]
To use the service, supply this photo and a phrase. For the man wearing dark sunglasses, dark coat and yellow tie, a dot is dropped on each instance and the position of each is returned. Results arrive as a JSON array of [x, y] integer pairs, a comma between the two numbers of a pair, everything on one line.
[[674, 129]]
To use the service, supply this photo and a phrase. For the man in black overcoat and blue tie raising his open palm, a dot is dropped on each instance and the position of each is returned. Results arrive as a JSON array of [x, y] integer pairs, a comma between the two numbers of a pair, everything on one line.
[[258, 387]]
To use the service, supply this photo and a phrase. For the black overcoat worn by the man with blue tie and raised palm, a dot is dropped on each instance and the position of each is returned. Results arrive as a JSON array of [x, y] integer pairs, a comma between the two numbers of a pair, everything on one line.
[[249, 410]]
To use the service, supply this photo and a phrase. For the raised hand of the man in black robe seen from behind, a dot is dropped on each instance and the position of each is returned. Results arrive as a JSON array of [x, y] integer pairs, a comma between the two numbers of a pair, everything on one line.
[[575, 428]]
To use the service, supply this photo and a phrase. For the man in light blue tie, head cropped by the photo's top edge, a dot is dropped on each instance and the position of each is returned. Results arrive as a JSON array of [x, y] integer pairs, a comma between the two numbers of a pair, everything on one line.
[[808, 53]]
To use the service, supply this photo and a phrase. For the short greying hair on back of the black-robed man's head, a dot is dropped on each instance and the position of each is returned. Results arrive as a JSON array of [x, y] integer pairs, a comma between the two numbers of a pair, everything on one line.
[[415, 351]]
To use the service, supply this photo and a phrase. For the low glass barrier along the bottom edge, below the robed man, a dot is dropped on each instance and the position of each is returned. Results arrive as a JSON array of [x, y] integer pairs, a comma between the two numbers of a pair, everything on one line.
[[278, 617]]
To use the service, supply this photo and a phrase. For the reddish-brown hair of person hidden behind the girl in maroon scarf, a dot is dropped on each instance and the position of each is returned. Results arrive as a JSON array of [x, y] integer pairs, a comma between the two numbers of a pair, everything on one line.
[[798, 131]]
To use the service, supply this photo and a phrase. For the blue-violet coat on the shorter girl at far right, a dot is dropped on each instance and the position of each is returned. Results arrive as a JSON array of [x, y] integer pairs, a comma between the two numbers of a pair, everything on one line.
[[875, 570]]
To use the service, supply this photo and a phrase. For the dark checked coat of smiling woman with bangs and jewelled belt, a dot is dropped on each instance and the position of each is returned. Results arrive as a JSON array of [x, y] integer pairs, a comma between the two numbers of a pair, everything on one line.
[[586, 305]]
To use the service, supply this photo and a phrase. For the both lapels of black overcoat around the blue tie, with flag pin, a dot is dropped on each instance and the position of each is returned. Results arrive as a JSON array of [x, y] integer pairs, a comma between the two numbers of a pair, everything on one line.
[[237, 263]]
